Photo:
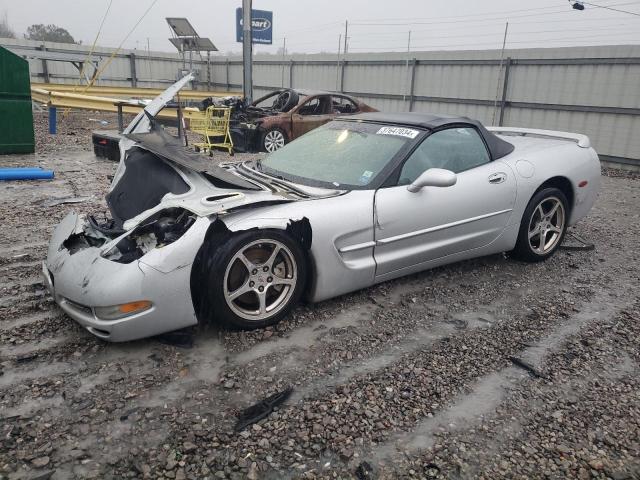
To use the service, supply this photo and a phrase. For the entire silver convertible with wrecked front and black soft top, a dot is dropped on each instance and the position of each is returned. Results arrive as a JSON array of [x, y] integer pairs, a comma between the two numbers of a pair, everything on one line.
[[358, 201]]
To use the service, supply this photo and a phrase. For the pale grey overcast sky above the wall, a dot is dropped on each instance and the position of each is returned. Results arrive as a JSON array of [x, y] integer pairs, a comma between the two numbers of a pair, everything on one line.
[[315, 26]]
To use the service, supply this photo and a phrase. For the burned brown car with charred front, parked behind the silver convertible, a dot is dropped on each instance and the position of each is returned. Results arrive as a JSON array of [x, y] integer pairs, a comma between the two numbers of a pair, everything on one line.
[[283, 115]]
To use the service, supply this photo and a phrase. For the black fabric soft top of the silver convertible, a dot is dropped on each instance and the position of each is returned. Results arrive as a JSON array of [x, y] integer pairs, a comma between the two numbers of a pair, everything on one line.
[[498, 148]]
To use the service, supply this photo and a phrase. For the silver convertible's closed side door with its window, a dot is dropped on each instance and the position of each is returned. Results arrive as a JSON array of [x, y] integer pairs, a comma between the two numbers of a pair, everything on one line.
[[414, 228]]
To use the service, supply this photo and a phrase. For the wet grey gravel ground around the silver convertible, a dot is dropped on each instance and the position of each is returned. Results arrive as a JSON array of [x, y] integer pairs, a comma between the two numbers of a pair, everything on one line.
[[488, 368]]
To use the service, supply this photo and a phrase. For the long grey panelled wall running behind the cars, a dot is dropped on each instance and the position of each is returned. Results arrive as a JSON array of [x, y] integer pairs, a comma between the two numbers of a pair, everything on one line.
[[591, 90]]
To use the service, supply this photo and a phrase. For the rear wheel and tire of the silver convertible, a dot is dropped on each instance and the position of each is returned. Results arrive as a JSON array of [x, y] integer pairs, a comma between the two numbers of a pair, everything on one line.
[[543, 226]]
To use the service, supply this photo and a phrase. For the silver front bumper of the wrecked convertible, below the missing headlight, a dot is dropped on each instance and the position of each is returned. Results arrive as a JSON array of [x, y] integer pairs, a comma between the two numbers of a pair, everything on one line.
[[84, 280]]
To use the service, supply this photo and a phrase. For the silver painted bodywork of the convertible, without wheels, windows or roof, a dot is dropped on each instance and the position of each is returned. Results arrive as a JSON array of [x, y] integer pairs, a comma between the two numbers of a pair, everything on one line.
[[359, 237]]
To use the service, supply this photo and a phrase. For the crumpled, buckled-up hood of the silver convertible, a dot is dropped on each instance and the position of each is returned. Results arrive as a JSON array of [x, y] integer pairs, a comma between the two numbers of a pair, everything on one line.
[[157, 172]]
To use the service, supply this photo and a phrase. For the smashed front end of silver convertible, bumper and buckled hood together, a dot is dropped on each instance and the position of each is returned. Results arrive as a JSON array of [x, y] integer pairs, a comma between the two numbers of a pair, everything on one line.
[[124, 274]]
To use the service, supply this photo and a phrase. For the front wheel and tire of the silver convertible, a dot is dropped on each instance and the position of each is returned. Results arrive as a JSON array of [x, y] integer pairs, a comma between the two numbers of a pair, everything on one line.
[[256, 278]]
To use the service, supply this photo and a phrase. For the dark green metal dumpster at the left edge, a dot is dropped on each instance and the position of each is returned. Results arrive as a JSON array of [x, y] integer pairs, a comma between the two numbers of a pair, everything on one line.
[[16, 117]]
